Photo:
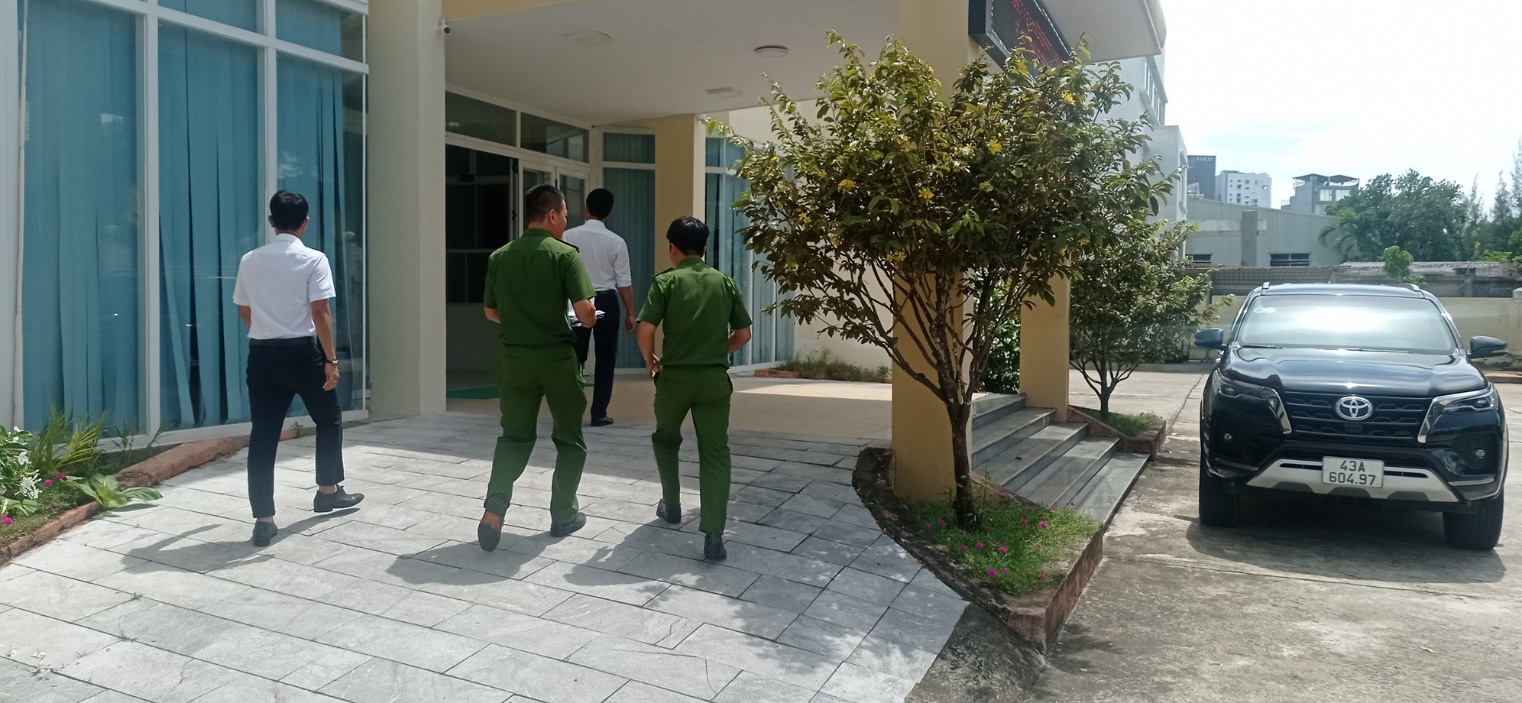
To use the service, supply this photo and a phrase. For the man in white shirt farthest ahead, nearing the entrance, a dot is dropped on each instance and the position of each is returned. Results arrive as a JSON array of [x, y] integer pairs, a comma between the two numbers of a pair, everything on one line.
[[607, 259]]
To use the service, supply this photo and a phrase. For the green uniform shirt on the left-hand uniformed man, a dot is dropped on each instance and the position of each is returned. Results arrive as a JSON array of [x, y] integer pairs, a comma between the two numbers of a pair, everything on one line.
[[529, 284]]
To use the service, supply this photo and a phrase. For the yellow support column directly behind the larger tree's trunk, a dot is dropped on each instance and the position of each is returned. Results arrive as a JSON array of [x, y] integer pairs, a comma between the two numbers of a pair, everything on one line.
[[937, 33]]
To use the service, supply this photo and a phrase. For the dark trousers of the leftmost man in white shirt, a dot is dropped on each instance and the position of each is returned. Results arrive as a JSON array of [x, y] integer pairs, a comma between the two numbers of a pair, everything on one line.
[[278, 372]]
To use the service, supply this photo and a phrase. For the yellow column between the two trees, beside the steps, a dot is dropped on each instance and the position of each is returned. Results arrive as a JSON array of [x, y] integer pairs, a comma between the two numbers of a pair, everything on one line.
[[1045, 343]]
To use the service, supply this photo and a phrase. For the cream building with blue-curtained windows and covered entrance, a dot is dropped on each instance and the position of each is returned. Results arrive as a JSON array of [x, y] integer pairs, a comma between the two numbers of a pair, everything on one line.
[[141, 141]]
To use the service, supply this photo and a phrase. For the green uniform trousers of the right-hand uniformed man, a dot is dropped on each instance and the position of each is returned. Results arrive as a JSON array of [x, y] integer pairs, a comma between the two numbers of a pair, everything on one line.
[[704, 392]]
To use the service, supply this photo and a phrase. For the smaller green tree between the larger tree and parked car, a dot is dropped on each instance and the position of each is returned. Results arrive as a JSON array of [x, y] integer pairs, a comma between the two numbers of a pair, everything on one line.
[[1135, 304]]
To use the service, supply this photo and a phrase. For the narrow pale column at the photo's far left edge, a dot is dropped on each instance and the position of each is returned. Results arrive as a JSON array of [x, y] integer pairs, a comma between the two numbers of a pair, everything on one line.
[[10, 221]]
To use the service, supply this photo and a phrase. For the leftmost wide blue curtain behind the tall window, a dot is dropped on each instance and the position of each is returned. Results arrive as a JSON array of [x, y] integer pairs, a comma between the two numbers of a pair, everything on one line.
[[81, 293]]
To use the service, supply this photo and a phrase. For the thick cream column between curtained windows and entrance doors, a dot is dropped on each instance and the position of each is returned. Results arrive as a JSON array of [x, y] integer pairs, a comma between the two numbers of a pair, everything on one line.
[[407, 208]]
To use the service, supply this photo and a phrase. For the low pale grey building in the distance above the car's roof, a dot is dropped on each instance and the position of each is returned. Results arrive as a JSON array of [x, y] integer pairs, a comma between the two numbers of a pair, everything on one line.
[[1232, 237]]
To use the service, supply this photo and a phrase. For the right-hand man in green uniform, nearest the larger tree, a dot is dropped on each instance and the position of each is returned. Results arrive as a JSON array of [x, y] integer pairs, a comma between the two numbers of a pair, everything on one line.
[[705, 322]]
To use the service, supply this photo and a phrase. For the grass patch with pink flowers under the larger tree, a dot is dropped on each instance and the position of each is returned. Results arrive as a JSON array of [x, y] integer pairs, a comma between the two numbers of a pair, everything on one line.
[[1017, 546]]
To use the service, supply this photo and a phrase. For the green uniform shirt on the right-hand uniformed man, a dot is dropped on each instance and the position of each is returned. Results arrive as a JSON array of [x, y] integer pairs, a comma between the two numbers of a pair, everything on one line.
[[699, 307]]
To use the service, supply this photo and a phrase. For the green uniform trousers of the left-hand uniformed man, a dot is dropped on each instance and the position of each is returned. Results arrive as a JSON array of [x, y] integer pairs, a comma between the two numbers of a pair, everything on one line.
[[526, 378]]
